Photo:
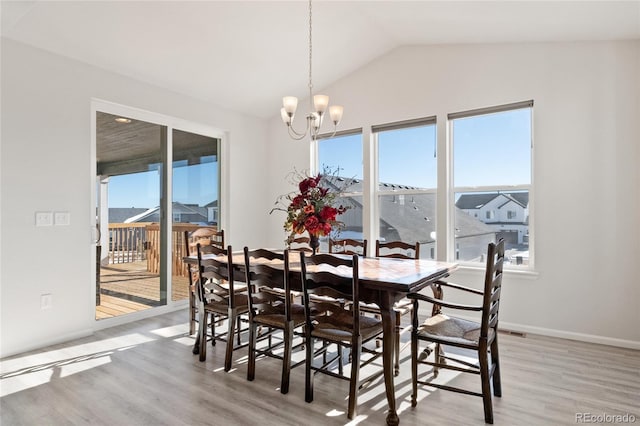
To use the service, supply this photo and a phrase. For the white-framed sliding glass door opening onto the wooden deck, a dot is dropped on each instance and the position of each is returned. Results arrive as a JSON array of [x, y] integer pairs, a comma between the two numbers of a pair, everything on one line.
[[156, 178]]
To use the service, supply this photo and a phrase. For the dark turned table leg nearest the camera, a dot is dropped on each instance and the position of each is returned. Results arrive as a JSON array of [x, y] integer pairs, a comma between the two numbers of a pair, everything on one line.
[[388, 350]]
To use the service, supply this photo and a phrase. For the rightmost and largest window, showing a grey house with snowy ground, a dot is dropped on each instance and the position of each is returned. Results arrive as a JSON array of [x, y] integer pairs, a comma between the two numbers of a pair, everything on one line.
[[492, 173]]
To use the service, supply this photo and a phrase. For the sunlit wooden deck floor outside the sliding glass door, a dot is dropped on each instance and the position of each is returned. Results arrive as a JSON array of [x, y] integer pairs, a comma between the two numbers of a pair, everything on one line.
[[128, 287]]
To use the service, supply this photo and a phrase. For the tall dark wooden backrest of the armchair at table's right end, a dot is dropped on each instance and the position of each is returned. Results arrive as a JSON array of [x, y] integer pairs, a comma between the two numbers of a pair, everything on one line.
[[492, 287]]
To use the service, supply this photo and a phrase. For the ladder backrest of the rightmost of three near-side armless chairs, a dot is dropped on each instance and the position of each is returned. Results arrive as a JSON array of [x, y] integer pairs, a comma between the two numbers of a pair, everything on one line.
[[319, 276]]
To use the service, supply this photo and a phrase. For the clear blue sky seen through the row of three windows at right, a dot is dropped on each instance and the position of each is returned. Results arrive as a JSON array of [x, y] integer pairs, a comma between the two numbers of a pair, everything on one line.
[[492, 149]]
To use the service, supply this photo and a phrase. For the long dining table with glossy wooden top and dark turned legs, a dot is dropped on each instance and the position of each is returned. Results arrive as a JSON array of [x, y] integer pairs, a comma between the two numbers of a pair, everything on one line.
[[383, 281]]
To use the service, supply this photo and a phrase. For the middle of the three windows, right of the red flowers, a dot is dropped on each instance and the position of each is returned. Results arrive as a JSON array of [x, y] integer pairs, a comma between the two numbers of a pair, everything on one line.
[[407, 182]]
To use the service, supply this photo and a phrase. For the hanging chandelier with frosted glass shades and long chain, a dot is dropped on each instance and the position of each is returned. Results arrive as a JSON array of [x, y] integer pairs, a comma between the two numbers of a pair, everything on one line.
[[318, 105]]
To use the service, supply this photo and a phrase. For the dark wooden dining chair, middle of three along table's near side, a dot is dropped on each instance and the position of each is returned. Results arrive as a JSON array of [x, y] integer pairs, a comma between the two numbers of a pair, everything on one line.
[[271, 307]]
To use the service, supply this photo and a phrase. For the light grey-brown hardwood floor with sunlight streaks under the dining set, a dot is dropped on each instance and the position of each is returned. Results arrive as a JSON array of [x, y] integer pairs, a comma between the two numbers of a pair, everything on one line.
[[145, 374]]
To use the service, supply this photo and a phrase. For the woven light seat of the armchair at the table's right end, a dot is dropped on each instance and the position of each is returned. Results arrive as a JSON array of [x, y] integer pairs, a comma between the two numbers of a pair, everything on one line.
[[452, 330]]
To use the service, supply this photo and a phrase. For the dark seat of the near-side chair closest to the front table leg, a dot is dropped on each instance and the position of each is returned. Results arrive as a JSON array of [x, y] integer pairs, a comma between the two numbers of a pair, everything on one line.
[[340, 327]]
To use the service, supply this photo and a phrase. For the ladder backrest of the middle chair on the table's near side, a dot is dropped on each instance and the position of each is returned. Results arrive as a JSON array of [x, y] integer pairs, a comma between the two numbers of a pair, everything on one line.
[[263, 278]]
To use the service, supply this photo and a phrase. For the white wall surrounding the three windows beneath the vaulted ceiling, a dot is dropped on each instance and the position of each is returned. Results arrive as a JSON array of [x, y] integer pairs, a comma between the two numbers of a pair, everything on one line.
[[587, 150]]
